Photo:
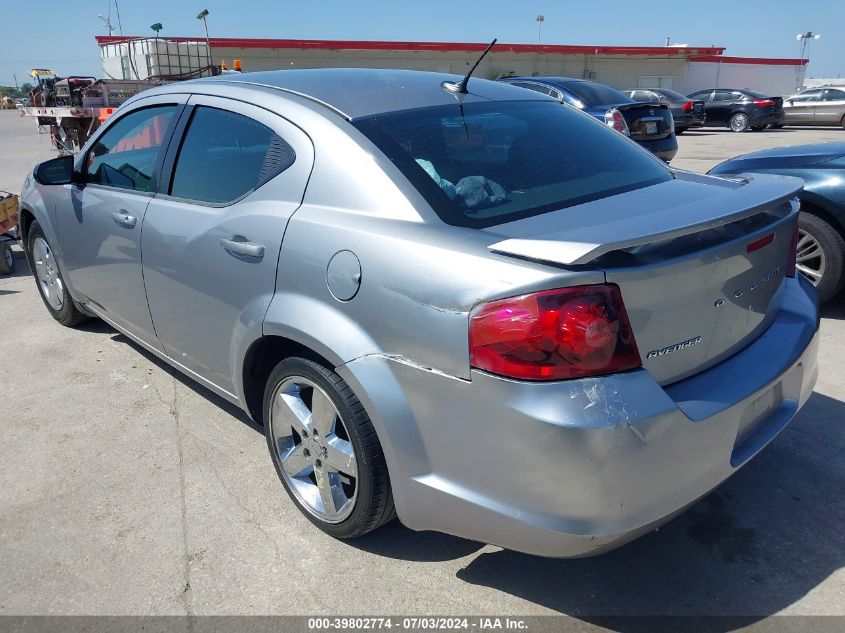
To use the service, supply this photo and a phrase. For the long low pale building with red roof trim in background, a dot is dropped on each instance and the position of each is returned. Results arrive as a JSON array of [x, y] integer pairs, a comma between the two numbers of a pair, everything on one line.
[[686, 69]]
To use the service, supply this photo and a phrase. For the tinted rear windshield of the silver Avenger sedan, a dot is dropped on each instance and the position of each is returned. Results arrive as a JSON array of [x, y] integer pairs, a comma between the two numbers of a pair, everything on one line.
[[484, 164]]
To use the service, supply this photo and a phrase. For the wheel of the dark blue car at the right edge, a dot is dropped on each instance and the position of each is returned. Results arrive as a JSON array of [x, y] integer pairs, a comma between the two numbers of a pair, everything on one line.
[[821, 254]]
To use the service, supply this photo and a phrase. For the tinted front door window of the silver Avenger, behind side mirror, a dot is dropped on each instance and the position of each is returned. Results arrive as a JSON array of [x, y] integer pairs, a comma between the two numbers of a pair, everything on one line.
[[127, 153]]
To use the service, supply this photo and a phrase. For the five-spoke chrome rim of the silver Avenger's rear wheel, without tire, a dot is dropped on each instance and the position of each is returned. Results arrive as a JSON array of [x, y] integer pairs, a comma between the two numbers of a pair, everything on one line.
[[314, 450]]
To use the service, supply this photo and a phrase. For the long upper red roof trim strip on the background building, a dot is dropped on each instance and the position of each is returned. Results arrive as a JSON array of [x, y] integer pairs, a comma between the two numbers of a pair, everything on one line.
[[466, 47]]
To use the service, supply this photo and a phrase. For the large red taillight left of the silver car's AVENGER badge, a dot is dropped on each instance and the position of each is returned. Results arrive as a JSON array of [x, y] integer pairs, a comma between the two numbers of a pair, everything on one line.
[[553, 335]]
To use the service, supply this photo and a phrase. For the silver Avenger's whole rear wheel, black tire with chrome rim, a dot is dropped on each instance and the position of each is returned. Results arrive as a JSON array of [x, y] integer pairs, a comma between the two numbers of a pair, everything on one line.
[[325, 449]]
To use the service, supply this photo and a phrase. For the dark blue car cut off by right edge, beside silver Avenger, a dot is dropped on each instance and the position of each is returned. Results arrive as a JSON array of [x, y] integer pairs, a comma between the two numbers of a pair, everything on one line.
[[821, 226]]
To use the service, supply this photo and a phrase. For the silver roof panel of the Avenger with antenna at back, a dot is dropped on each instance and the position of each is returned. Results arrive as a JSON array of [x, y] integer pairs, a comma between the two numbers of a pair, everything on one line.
[[362, 92]]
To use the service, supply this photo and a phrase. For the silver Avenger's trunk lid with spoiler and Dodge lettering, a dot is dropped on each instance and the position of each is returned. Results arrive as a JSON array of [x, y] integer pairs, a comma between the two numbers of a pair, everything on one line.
[[696, 282]]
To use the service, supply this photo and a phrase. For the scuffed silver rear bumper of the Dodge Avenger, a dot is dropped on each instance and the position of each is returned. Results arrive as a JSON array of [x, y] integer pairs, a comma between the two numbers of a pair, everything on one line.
[[578, 467]]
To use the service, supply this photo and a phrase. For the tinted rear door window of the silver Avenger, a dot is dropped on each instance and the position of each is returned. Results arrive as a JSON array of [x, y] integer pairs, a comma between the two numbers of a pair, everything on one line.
[[225, 156]]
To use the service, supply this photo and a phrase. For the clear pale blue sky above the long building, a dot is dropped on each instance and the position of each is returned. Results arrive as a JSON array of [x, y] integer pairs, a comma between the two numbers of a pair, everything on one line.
[[59, 34]]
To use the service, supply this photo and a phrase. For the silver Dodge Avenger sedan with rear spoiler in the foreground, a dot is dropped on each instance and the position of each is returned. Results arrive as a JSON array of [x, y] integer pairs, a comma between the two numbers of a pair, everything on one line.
[[477, 311]]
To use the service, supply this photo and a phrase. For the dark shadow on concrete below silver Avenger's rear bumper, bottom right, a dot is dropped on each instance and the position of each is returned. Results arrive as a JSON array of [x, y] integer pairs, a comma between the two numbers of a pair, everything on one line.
[[763, 540]]
